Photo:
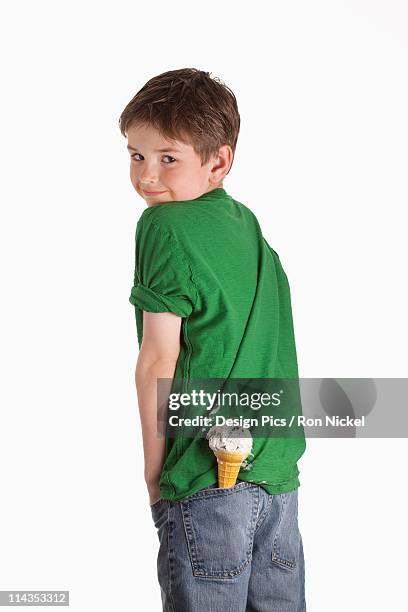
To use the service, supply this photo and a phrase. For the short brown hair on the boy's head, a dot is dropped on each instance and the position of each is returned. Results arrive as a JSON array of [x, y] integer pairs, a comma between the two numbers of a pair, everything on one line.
[[187, 105]]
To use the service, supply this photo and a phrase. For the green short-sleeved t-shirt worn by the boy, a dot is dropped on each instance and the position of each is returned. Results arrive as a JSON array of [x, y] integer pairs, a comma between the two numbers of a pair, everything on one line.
[[207, 261]]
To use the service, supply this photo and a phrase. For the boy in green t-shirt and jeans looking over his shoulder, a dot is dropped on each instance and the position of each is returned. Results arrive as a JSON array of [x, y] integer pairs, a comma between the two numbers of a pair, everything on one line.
[[211, 301]]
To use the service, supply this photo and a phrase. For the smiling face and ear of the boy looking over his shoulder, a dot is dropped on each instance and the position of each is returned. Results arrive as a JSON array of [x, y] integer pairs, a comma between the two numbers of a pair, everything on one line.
[[166, 171]]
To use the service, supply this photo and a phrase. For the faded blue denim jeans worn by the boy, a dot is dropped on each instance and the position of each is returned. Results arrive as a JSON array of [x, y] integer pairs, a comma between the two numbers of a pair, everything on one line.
[[230, 549]]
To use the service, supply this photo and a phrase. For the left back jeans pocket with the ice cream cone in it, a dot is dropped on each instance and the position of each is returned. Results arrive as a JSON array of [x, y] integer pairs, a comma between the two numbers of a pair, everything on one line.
[[219, 525]]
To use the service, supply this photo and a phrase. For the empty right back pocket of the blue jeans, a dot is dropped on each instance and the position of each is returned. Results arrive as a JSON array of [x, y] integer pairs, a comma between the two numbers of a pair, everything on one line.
[[286, 542]]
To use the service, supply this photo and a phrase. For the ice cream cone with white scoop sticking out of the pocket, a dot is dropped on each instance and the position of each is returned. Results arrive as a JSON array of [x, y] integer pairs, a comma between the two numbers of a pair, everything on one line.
[[230, 451]]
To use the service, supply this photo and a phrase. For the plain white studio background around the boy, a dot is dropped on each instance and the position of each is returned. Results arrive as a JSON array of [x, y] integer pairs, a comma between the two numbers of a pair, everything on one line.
[[322, 161]]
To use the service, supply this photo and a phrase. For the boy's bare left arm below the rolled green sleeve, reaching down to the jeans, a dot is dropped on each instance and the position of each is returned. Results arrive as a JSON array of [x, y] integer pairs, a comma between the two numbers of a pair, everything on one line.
[[157, 358]]
